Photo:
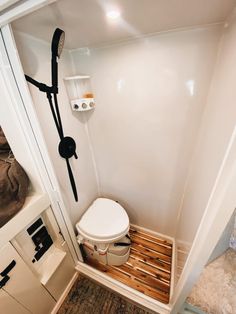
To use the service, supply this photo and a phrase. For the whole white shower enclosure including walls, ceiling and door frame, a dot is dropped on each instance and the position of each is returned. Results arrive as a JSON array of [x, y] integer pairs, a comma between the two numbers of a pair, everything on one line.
[[161, 138]]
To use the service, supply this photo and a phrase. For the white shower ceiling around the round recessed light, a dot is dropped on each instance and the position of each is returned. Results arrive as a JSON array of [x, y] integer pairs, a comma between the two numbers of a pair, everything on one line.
[[85, 22]]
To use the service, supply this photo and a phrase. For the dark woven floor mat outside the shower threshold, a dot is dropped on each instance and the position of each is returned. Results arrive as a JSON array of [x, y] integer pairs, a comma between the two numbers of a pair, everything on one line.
[[87, 297]]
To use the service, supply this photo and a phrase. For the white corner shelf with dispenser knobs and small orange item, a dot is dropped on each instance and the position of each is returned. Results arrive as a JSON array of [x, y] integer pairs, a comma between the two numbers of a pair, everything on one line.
[[77, 87]]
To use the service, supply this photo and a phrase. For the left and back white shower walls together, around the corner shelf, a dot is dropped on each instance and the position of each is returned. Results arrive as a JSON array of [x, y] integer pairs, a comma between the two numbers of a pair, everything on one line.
[[150, 95]]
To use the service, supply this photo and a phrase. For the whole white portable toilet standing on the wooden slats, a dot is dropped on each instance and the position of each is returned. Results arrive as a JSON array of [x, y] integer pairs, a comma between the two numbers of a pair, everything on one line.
[[103, 232]]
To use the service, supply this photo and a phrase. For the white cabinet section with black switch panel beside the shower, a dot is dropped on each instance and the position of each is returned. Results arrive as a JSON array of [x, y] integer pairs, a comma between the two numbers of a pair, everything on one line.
[[55, 267]]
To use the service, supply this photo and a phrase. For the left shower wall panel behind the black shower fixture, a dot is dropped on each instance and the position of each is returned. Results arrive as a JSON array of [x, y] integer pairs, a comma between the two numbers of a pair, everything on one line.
[[36, 57]]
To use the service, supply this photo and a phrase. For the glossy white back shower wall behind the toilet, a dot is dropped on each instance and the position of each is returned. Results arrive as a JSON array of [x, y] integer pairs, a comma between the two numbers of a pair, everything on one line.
[[150, 94]]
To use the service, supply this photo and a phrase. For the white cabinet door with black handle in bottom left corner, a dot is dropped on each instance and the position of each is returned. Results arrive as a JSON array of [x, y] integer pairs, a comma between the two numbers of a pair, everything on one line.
[[22, 285]]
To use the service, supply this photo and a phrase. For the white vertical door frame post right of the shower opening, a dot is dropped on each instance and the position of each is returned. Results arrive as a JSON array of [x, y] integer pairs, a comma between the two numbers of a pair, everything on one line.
[[219, 209]]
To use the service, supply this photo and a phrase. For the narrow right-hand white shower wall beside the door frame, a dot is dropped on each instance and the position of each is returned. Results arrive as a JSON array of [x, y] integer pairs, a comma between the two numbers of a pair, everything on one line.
[[218, 123]]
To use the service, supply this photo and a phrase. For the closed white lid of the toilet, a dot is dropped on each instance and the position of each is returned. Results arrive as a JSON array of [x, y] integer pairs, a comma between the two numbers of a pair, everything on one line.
[[105, 220]]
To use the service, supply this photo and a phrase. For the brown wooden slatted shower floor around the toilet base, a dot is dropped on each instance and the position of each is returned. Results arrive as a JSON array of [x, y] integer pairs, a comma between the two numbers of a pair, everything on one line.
[[148, 269]]
